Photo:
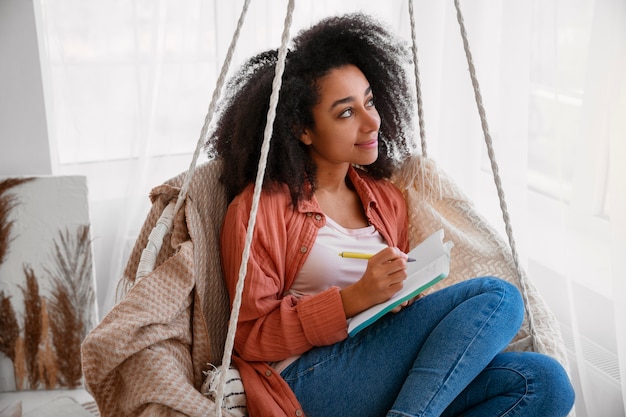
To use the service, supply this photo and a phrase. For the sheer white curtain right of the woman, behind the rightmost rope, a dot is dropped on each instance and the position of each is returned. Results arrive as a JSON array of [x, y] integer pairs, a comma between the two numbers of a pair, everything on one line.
[[553, 75]]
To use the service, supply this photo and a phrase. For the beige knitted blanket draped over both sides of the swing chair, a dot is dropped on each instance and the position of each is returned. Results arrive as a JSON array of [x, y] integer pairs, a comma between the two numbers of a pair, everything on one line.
[[148, 355]]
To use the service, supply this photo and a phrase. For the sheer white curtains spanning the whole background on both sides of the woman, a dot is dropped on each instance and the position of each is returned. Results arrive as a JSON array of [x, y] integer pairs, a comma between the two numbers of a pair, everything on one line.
[[129, 82]]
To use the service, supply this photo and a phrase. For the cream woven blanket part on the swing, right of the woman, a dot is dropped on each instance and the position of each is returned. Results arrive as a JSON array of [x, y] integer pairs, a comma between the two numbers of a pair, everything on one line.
[[436, 202]]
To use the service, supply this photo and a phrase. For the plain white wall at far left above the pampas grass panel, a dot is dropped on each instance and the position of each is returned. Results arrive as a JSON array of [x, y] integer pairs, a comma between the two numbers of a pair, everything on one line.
[[24, 148]]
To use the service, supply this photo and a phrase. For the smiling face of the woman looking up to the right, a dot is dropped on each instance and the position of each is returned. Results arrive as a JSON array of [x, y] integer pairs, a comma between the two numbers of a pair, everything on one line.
[[346, 122]]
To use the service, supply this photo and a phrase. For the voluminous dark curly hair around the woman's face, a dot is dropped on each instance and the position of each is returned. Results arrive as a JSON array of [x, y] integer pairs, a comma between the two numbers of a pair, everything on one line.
[[333, 42]]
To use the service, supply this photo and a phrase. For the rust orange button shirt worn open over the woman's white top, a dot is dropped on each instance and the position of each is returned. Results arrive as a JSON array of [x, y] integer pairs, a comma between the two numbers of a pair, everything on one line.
[[273, 326]]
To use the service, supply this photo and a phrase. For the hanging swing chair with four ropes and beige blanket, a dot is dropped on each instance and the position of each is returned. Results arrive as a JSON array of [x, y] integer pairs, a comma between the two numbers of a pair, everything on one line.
[[166, 347]]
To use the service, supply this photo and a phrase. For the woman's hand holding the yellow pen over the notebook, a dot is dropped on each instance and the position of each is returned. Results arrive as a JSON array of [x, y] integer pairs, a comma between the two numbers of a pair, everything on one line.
[[383, 277]]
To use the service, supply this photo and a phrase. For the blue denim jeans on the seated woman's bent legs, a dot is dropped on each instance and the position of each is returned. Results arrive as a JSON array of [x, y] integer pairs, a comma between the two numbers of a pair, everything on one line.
[[440, 356]]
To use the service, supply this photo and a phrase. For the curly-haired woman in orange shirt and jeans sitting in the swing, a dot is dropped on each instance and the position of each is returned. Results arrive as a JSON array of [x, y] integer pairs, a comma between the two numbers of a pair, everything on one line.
[[343, 121]]
